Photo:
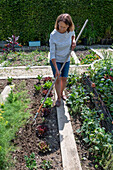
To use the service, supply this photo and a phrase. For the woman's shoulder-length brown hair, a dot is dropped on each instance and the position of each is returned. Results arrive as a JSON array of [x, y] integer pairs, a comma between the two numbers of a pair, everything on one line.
[[66, 18]]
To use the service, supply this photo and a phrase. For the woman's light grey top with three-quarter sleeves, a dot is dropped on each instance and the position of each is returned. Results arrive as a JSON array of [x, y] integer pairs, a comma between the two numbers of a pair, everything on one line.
[[60, 44]]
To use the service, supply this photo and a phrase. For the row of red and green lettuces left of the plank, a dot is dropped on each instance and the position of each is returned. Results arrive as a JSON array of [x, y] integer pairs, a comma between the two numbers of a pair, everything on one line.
[[42, 128]]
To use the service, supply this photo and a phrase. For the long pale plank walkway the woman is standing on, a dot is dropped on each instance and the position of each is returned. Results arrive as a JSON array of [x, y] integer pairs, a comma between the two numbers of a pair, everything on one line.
[[70, 158]]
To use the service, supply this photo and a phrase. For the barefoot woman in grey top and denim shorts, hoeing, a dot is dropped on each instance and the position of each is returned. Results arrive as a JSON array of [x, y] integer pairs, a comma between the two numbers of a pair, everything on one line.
[[62, 39]]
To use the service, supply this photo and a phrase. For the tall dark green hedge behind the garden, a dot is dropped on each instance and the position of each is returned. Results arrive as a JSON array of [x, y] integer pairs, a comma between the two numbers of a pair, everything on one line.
[[35, 19]]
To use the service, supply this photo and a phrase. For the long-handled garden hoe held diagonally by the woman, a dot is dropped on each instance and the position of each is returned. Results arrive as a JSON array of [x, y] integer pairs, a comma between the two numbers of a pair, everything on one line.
[[60, 73]]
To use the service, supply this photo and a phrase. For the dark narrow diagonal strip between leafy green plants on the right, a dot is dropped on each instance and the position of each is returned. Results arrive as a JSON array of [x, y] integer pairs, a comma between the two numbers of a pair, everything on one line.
[[108, 121]]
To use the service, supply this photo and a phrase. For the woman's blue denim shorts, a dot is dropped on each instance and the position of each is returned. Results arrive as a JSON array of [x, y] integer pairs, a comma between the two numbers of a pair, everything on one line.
[[65, 70]]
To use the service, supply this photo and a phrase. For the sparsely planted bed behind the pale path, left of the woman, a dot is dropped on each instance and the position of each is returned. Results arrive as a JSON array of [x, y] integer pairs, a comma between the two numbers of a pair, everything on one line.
[[34, 58]]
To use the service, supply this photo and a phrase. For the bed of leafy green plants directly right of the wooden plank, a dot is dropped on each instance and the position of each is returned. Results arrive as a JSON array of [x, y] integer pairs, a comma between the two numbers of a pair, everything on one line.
[[93, 141]]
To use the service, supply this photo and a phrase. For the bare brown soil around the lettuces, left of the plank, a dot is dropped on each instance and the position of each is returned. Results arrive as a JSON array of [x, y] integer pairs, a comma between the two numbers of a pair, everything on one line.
[[26, 140]]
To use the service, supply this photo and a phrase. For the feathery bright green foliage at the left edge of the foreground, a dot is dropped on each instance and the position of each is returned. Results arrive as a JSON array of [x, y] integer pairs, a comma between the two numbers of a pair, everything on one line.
[[13, 115]]
